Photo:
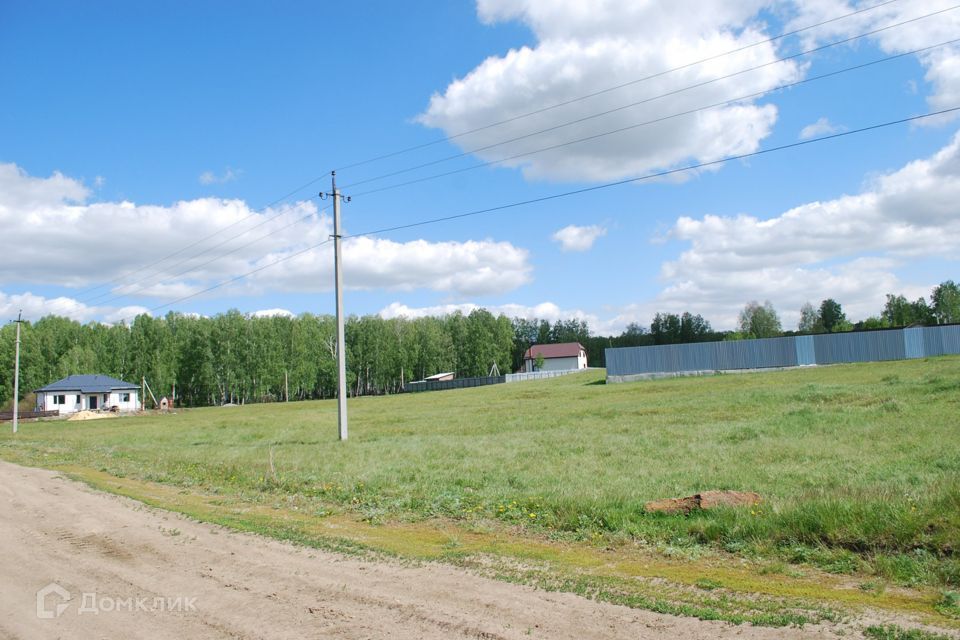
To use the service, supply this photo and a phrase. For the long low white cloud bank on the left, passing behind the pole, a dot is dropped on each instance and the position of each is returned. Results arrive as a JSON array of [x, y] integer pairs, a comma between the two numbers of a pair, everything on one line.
[[55, 237]]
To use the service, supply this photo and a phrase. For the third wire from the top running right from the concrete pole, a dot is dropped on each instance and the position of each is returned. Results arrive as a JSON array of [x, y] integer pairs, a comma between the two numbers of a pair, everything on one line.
[[657, 120]]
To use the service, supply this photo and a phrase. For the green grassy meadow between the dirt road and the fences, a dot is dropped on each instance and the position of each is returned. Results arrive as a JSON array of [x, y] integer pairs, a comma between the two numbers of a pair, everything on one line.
[[859, 465]]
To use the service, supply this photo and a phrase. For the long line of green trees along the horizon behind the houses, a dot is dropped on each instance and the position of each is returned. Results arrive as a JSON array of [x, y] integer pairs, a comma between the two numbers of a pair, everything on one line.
[[237, 358]]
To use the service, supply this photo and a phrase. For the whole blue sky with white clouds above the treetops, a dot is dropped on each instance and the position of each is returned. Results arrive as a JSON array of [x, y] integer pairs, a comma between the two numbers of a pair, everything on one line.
[[129, 131]]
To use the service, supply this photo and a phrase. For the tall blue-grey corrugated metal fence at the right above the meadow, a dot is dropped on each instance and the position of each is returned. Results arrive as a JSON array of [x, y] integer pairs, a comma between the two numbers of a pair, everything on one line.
[[831, 348]]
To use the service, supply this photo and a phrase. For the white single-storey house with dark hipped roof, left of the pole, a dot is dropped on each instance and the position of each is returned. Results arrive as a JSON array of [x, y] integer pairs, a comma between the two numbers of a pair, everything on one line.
[[88, 392]]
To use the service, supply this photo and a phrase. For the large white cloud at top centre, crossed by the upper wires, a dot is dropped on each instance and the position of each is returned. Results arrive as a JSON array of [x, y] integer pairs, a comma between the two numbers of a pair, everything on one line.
[[586, 47]]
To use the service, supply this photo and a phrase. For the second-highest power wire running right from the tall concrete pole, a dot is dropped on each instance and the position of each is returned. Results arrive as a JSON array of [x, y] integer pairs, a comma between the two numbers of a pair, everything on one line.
[[645, 100]]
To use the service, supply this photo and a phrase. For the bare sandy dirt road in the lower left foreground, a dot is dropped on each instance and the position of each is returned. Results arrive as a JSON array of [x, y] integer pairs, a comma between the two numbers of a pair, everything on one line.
[[113, 568]]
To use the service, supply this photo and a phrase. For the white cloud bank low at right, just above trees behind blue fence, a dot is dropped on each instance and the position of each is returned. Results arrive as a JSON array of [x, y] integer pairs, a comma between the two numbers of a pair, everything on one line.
[[848, 248]]
